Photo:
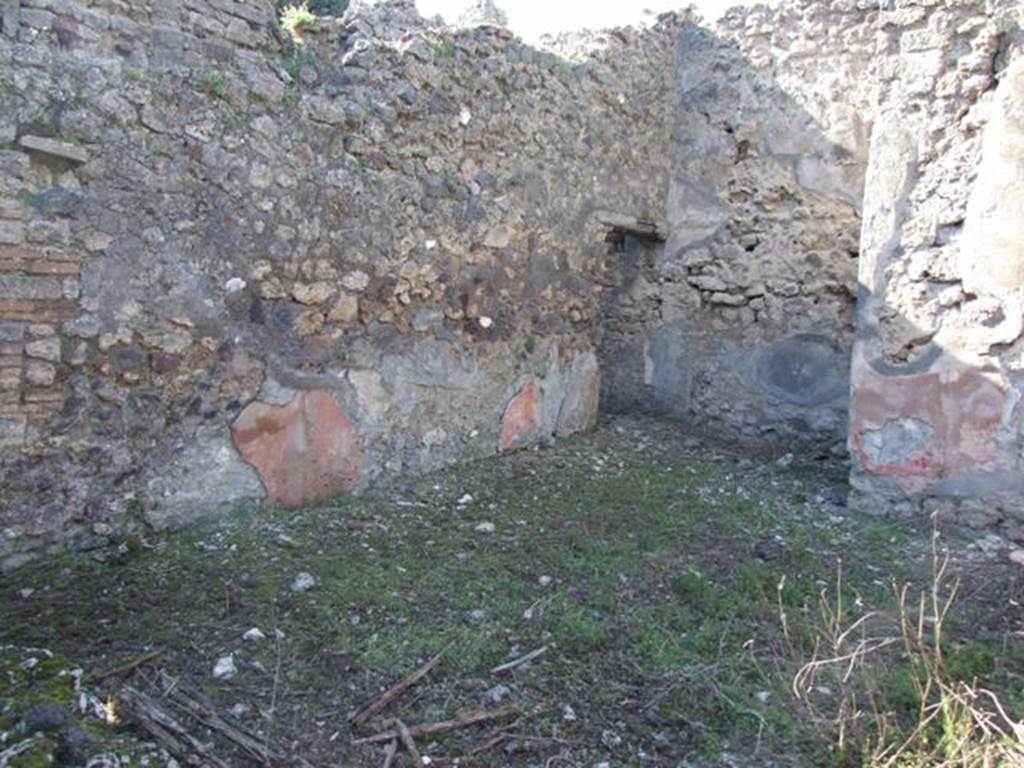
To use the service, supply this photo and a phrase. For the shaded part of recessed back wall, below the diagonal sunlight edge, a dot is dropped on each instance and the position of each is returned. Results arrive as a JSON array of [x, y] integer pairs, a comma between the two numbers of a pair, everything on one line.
[[744, 320]]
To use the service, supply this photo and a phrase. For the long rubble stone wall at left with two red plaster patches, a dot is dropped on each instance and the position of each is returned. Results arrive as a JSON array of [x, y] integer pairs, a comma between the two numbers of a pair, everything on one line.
[[235, 271]]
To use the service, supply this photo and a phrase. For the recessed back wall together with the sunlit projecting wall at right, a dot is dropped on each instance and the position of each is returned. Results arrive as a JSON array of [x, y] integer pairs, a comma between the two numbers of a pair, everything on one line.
[[833, 156]]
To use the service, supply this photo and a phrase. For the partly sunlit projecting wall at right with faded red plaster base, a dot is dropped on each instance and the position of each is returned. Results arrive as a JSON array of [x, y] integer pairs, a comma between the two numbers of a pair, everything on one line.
[[937, 368]]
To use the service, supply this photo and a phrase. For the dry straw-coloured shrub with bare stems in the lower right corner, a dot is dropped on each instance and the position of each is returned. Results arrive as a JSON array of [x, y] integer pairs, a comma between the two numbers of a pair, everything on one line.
[[859, 659]]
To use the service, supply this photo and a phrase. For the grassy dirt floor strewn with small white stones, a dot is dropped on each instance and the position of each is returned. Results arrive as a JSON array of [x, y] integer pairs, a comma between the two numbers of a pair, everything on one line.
[[657, 570]]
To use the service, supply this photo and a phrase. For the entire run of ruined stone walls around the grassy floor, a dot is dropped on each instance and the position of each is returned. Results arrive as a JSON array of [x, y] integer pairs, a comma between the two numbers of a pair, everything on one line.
[[235, 269]]
